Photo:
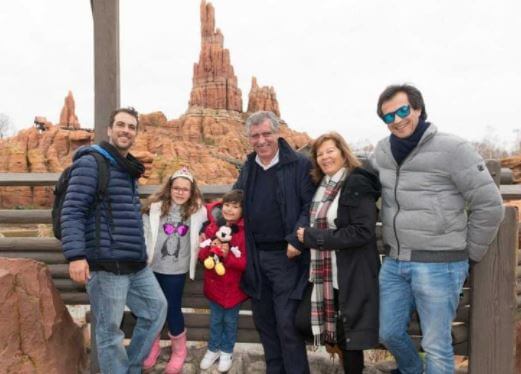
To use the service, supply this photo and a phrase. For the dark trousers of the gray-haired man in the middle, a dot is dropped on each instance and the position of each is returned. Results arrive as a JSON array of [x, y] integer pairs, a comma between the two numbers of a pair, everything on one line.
[[274, 315]]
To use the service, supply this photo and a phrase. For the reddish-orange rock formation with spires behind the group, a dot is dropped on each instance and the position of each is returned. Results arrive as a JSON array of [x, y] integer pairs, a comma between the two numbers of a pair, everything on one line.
[[209, 137]]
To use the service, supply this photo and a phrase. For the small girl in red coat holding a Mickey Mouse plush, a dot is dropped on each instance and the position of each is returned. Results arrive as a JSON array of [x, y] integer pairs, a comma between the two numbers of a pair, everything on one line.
[[223, 291]]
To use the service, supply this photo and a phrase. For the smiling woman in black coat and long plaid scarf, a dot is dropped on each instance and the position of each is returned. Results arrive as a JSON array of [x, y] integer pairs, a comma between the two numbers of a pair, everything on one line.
[[344, 260]]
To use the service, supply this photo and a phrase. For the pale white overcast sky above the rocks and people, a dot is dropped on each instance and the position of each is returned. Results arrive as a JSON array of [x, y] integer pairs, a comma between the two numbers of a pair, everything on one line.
[[328, 60]]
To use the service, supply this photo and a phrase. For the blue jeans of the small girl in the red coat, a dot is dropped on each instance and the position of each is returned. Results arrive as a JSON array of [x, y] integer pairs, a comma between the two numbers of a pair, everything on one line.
[[223, 328]]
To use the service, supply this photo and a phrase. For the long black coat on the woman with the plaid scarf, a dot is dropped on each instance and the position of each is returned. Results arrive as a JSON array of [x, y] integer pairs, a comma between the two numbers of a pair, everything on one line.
[[354, 242]]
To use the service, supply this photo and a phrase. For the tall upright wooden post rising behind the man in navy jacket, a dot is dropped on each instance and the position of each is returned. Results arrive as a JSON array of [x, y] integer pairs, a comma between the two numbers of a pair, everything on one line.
[[106, 64]]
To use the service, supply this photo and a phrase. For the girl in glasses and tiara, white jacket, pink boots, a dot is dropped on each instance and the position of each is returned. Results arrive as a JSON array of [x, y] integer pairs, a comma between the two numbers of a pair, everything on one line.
[[172, 219]]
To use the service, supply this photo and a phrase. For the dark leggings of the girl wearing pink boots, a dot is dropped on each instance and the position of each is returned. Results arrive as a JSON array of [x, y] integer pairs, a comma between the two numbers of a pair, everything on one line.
[[172, 286]]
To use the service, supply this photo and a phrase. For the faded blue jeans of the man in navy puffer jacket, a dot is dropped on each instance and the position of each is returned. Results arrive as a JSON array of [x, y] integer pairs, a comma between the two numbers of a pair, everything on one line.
[[108, 294]]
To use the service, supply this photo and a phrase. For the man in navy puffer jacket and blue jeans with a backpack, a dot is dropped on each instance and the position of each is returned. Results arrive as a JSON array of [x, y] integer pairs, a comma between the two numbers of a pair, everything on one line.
[[115, 273]]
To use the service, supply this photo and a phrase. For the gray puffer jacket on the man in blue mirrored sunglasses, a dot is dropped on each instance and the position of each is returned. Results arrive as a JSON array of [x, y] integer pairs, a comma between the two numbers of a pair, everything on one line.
[[440, 204]]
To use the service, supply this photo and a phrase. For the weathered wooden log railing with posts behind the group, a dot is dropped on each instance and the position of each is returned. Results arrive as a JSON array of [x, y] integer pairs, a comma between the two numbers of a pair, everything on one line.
[[484, 324]]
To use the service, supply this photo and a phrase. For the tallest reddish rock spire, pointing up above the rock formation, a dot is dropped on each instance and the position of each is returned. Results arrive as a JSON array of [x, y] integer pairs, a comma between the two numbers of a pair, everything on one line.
[[214, 82]]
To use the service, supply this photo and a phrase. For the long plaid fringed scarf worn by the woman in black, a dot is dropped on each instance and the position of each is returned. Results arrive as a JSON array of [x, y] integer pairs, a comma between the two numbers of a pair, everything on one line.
[[323, 315]]
